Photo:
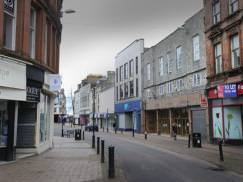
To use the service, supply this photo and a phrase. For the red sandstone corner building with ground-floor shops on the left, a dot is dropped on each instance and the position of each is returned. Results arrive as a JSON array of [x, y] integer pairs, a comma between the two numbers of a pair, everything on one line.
[[30, 35]]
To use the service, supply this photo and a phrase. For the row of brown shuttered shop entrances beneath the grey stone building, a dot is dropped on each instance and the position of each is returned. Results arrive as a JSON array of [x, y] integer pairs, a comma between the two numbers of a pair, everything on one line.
[[182, 120]]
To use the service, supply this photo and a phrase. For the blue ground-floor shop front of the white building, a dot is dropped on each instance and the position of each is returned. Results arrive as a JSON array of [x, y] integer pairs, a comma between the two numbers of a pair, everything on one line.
[[129, 116]]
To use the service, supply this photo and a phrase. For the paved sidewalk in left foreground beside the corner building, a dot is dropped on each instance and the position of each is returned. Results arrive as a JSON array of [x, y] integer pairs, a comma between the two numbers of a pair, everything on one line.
[[68, 161]]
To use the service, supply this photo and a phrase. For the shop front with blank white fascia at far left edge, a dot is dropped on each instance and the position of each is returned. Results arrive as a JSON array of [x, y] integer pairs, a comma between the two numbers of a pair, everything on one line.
[[12, 90]]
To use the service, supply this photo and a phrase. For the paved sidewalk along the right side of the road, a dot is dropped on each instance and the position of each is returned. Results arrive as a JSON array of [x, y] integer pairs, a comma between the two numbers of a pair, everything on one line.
[[233, 155]]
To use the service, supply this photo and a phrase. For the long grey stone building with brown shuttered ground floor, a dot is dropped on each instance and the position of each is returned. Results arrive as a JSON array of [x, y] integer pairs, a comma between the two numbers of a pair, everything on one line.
[[174, 80]]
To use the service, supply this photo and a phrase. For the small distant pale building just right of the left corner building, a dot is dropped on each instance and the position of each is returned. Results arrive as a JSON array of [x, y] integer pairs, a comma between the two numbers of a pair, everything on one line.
[[59, 106]]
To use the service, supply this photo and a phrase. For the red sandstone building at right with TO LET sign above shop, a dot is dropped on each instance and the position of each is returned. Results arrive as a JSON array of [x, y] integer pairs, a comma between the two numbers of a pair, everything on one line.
[[224, 47]]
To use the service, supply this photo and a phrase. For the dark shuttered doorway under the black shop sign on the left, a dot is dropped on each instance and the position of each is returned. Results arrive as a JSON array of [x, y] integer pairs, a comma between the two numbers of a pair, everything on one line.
[[26, 124]]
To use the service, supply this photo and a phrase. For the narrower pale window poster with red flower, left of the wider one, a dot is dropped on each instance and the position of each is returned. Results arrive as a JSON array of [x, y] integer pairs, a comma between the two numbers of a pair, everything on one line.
[[217, 122]]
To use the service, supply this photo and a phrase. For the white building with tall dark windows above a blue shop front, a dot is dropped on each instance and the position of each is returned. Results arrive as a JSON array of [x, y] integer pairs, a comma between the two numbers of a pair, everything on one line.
[[128, 88]]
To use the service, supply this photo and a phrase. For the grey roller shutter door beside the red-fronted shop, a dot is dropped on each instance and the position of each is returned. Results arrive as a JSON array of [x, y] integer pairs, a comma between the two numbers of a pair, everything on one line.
[[198, 123]]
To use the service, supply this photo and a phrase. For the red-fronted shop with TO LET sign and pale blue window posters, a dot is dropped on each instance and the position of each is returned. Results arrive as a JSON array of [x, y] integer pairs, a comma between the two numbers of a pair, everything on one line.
[[226, 110]]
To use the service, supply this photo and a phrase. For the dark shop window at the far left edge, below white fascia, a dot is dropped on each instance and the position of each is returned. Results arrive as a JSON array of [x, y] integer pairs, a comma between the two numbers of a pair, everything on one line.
[[3, 123]]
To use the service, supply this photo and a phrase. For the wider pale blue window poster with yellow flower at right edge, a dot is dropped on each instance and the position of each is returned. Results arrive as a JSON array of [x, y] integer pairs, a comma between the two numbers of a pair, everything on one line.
[[232, 123]]
